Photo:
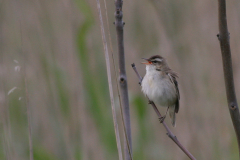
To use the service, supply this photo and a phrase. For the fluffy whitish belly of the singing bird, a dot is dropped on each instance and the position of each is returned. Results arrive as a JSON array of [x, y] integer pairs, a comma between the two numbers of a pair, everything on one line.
[[162, 91]]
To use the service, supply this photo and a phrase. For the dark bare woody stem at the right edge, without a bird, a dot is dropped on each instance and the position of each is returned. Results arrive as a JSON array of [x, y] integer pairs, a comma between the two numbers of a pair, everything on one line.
[[223, 38]]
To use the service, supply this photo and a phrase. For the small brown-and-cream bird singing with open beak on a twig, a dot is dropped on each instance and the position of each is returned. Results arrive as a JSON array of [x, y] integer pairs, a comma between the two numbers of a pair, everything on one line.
[[160, 85]]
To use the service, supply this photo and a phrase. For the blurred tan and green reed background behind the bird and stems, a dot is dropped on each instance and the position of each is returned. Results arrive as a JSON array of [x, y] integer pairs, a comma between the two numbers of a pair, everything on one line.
[[58, 45]]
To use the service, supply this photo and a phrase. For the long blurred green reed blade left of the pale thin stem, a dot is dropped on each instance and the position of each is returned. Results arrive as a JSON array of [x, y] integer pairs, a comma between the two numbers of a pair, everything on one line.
[[95, 86]]
